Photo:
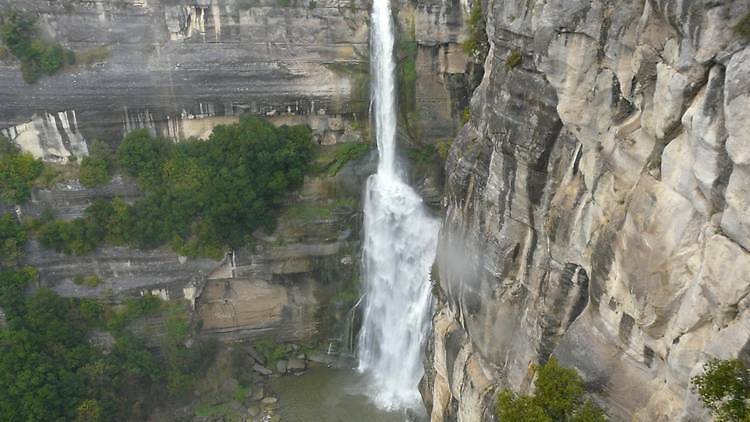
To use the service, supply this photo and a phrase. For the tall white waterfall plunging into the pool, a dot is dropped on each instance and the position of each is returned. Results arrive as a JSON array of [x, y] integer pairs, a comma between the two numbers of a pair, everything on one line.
[[399, 247]]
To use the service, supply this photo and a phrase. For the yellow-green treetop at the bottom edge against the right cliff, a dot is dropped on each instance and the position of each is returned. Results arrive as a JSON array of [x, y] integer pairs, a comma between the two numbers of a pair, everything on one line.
[[559, 396]]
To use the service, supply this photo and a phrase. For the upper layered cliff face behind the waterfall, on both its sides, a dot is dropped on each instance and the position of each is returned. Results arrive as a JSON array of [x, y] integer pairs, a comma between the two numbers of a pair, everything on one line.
[[179, 67]]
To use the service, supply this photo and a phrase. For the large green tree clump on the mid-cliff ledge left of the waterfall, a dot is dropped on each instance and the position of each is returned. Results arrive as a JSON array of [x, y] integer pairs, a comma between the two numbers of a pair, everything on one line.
[[200, 196]]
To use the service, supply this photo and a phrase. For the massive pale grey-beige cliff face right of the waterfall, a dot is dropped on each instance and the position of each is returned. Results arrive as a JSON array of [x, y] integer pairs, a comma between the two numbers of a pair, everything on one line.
[[597, 207]]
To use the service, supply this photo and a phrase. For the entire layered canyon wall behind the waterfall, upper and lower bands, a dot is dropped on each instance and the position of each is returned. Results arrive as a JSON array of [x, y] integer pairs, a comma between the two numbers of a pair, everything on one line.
[[180, 67]]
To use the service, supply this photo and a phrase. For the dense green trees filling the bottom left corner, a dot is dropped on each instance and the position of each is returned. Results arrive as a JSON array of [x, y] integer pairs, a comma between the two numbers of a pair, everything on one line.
[[50, 371]]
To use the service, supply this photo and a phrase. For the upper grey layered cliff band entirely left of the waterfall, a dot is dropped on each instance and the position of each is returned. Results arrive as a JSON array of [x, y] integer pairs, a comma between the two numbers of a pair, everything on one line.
[[163, 64]]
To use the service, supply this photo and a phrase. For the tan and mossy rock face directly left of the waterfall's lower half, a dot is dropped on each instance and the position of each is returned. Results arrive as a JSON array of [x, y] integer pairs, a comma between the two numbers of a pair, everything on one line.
[[301, 281]]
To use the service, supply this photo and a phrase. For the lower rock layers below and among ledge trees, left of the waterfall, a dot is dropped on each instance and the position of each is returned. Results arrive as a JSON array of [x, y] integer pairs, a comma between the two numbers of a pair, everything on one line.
[[294, 284]]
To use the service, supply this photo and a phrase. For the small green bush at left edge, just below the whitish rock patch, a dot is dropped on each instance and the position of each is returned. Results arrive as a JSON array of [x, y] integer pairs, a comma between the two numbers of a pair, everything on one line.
[[18, 170]]
